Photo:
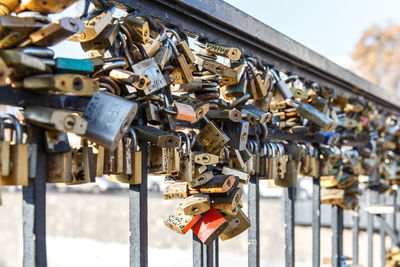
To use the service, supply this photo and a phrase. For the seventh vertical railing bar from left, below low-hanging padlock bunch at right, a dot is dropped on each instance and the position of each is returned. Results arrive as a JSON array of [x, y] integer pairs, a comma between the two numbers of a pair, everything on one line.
[[337, 231]]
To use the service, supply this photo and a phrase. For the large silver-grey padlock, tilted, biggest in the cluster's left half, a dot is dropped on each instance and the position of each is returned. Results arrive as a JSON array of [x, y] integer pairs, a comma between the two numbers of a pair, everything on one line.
[[108, 118]]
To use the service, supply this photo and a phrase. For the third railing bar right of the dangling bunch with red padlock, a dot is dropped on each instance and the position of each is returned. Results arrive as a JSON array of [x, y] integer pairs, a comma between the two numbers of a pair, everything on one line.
[[316, 222]]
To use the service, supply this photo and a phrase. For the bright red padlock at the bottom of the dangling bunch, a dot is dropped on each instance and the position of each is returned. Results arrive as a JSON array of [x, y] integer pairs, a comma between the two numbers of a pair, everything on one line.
[[211, 225]]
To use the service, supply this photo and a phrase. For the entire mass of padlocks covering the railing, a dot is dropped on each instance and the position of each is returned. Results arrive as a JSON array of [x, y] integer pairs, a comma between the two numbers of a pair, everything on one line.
[[209, 116]]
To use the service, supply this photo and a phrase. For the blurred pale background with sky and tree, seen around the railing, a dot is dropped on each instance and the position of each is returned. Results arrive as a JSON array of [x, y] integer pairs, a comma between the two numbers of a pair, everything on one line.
[[87, 225]]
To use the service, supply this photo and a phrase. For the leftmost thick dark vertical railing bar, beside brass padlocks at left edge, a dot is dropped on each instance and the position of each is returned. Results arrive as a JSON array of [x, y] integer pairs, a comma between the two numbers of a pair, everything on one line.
[[34, 209]]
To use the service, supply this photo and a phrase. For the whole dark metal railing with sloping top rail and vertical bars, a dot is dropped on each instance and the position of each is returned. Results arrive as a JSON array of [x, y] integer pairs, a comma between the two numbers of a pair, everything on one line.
[[218, 21]]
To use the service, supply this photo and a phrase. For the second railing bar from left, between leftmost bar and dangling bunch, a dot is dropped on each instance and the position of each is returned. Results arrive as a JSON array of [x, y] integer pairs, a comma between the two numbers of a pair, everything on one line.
[[138, 217]]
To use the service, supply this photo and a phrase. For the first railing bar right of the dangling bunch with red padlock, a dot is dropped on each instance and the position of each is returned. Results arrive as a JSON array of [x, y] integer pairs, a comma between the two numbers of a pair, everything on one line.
[[254, 217]]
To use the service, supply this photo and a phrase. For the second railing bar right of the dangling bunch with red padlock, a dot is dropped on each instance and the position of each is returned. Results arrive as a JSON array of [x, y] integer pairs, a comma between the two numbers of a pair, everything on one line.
[[289, 201]]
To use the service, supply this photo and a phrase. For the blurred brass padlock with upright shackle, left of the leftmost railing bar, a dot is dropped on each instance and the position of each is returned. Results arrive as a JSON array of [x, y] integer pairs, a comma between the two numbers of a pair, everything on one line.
[[17, 159]]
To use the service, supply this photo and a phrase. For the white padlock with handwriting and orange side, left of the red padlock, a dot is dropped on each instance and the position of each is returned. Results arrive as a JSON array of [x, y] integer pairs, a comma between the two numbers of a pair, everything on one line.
[[180, 222]]
